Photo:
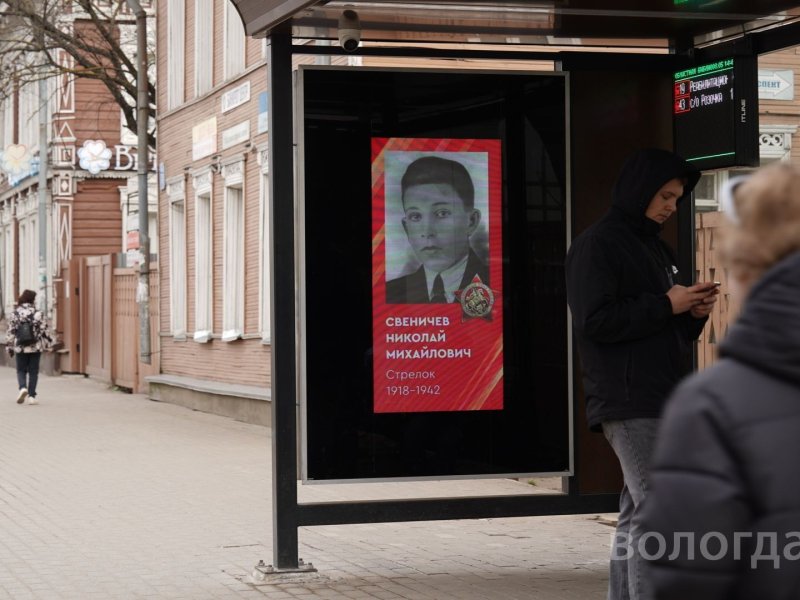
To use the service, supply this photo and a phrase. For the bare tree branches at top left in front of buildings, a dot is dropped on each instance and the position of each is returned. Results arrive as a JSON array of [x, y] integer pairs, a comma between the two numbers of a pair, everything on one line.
[[98, 36]]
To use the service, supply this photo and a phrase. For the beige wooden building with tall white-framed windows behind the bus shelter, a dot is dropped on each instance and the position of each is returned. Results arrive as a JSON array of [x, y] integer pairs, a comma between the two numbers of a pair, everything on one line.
[[213, 206]]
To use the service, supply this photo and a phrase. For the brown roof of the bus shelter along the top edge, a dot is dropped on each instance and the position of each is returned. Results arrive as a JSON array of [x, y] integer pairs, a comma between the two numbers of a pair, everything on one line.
[[666, 25]]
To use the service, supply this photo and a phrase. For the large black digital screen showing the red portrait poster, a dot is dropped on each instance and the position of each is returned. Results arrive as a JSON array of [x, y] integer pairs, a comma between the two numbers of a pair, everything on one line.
[[433, 334]]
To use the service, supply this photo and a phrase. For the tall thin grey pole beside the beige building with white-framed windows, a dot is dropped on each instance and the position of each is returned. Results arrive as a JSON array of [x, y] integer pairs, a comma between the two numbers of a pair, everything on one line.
[[143, 159]]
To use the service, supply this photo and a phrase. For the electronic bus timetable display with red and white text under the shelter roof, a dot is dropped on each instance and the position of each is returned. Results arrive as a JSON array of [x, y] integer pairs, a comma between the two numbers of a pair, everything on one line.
[[716, 113]]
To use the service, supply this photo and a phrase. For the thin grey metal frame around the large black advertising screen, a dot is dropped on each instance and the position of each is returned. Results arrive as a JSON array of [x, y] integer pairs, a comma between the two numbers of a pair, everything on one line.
[[301, 276]]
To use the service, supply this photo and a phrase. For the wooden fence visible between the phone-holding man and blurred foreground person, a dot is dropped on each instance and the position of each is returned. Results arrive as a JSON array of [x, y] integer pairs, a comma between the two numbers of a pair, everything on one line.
[[709, 269]]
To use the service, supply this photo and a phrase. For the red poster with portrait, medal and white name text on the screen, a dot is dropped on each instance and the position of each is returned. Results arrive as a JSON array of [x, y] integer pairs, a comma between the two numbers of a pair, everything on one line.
[[437, 275]]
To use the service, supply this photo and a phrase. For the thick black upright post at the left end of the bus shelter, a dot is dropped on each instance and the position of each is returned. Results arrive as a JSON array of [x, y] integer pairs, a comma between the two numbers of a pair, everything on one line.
[[284, 370]]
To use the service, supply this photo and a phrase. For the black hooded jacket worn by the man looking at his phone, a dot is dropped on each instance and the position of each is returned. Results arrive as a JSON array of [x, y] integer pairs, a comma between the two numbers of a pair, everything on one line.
[[632, 347]]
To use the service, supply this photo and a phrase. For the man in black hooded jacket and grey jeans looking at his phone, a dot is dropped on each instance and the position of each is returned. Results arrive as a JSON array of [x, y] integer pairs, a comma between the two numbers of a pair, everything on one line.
[[633, 325]]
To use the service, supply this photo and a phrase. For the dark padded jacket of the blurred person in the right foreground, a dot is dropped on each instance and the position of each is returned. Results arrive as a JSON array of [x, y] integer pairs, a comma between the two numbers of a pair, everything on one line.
[[728, 456]]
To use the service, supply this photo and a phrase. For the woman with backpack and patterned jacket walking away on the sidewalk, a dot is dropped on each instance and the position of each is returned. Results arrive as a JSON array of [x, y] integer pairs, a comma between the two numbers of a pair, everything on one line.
[[28, 336]]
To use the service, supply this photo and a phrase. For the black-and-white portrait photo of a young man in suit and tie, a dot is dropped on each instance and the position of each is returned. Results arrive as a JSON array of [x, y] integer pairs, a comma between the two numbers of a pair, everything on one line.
[[436, 224]]
